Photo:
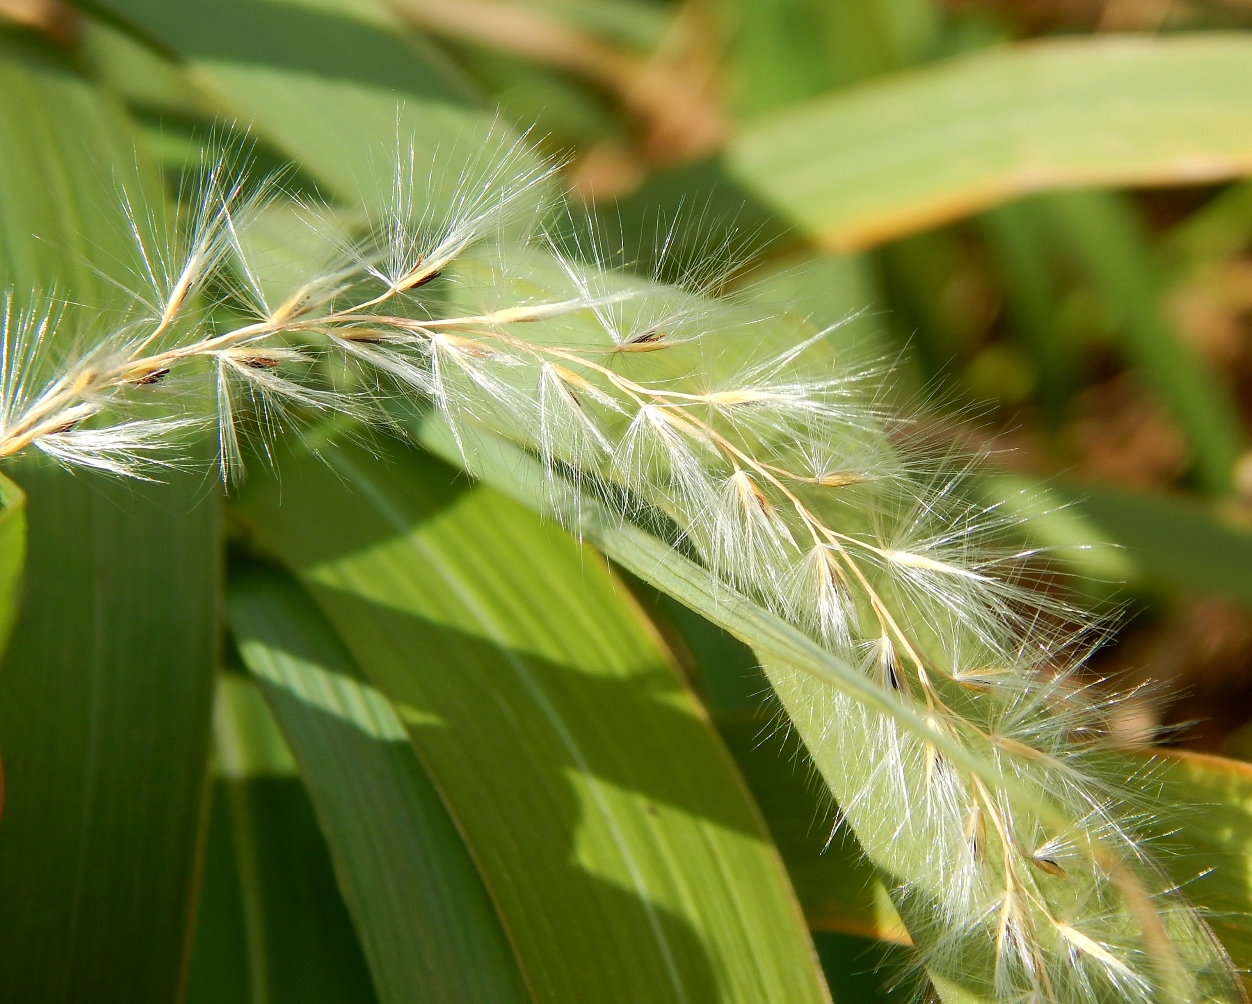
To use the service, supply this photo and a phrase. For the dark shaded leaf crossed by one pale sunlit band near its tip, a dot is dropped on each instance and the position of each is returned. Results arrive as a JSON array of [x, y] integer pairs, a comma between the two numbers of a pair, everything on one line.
[[428, 926]]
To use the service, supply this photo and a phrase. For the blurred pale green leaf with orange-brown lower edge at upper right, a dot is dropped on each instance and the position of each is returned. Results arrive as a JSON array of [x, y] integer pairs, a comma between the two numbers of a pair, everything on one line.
[[902, 153]]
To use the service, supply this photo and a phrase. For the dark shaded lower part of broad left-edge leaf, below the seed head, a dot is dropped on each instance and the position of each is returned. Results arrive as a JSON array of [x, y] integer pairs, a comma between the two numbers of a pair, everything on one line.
[[105, 710]]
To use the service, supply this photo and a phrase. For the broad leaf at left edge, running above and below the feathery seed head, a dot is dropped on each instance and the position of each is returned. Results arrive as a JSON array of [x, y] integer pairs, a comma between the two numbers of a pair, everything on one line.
[[106, 689]]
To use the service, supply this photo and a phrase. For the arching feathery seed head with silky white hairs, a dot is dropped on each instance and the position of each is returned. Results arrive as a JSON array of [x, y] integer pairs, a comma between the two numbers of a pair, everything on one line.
[[980, 778]]
